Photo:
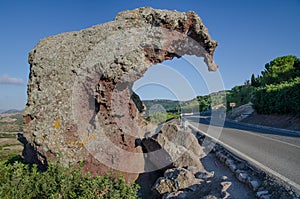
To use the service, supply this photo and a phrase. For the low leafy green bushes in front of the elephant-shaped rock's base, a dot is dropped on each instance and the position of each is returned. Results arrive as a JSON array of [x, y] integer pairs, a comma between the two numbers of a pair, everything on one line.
[[19, 180]]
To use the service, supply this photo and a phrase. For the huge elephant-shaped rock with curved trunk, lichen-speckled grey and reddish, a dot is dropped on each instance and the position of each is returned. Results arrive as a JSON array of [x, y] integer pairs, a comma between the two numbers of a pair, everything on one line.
[[80, 102]]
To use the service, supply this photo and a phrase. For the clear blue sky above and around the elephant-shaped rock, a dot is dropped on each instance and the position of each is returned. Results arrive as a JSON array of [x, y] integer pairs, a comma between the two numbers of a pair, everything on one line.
[[250, 34]]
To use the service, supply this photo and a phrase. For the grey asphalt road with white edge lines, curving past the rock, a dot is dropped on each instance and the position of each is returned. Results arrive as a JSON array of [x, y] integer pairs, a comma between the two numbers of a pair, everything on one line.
[[276, 151]]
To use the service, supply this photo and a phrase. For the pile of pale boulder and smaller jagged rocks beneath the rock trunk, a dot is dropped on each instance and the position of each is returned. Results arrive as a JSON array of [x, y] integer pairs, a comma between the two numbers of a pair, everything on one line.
[[173, 157]]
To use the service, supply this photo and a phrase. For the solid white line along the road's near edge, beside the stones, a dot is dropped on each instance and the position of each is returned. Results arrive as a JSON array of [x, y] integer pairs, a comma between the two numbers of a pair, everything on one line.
[[242, 155]]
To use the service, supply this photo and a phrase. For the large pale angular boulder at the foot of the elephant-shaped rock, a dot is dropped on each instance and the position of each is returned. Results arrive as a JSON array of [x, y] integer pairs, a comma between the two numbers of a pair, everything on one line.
[[174, 146]]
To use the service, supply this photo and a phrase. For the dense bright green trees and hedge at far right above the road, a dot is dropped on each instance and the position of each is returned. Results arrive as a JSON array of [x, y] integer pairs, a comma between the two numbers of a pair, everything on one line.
[[278, 87]]
